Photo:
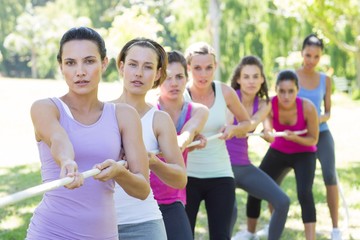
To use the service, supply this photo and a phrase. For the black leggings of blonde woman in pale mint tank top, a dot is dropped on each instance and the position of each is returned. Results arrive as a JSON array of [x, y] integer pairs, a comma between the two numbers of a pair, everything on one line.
[[219, 197]]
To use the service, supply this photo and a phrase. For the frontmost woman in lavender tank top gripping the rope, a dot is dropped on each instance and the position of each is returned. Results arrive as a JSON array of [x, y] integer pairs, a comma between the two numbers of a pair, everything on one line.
[[77, 132]]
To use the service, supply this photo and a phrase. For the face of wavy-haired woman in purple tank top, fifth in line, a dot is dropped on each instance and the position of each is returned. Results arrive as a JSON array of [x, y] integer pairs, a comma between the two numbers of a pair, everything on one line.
[[250, 79]]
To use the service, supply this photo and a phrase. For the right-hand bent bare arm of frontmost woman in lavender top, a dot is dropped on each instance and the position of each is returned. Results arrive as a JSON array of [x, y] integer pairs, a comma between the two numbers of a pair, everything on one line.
[[134, 181]]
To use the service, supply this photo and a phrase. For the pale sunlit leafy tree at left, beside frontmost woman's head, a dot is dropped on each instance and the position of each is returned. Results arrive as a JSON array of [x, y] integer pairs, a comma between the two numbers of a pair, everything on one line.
[[36, 37]]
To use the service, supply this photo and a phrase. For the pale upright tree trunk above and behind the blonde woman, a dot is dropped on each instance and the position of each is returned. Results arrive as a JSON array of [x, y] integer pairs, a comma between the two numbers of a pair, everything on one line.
[[215, 18]]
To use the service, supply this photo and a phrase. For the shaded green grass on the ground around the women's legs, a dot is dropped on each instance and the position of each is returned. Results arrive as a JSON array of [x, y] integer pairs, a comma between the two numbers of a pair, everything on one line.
[[15, 218]]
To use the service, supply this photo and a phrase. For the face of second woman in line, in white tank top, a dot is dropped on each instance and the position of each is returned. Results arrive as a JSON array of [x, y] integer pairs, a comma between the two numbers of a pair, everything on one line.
[[139, 70]]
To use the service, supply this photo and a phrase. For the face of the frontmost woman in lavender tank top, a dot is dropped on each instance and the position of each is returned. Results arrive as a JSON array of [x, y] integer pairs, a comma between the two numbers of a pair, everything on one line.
[[82, 66]]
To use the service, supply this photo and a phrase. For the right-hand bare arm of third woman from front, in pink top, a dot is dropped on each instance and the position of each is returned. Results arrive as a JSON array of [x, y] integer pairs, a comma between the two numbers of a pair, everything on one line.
[[194, 125]]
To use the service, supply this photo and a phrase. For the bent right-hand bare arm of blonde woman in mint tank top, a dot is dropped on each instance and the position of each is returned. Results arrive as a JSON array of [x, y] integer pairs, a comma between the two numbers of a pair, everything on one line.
[[237, 109]]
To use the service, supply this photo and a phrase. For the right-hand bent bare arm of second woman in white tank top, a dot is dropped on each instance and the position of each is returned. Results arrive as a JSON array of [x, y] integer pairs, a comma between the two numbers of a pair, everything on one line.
[[172, 172]]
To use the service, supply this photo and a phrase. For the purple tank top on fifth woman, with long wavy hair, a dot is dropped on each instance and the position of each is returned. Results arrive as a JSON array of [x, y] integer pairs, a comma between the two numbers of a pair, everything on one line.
[[238, 147]]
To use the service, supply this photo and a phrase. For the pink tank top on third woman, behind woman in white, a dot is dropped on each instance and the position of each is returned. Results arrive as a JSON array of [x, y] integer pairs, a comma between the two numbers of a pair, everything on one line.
[[162, 192]]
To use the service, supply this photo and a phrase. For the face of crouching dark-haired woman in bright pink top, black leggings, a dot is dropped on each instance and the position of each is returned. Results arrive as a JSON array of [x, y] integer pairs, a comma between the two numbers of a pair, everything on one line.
[[286, 92]]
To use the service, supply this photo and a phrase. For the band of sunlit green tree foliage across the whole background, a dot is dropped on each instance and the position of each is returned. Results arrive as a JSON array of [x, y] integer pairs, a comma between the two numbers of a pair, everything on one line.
[[271, 29]]
